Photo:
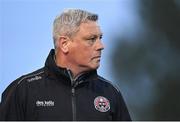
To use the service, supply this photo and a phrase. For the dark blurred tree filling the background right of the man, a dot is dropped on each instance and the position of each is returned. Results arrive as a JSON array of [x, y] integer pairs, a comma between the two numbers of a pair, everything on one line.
[[150, 64]]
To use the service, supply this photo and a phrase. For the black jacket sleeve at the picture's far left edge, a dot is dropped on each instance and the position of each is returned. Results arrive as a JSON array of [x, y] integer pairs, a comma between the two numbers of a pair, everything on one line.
[[11, 107]]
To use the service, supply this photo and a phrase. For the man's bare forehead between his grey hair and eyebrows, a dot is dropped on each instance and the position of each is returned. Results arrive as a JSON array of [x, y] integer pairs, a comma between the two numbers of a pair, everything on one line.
[[89, 28]]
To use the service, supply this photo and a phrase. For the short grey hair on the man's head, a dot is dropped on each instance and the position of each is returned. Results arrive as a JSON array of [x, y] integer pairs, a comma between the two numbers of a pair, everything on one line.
[[67, 23]]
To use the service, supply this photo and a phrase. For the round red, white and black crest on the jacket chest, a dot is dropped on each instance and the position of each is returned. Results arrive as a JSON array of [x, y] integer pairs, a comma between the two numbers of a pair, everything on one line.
[[101, 104]]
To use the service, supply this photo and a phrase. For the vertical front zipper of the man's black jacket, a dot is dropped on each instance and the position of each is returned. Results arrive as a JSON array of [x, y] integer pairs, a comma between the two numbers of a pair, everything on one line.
[[73, 97]]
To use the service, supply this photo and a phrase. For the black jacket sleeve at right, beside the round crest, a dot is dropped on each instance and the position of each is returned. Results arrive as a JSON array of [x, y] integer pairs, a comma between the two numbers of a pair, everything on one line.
[[122, 113]]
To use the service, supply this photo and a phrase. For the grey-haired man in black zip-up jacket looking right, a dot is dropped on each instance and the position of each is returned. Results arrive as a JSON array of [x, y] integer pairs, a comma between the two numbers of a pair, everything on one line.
[[68, 86]]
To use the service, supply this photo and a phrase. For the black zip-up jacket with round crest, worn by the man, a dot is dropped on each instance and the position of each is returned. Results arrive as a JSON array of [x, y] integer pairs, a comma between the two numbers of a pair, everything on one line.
[[51, 94]]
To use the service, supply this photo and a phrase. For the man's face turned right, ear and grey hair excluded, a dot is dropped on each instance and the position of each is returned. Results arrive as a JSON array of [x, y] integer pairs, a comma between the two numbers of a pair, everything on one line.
[[86, 46]]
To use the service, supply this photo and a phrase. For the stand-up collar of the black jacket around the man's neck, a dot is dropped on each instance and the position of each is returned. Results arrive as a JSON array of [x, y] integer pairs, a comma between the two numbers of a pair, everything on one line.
[[53, 70]]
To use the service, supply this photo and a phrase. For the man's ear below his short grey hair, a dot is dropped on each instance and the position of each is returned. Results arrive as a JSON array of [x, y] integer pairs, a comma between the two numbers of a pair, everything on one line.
[[63, 44]]
